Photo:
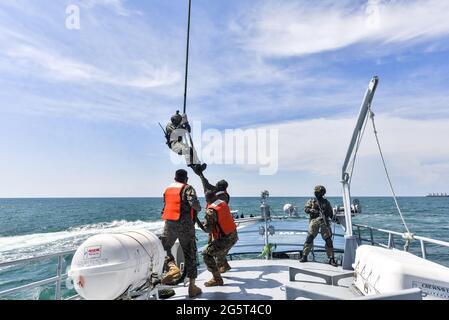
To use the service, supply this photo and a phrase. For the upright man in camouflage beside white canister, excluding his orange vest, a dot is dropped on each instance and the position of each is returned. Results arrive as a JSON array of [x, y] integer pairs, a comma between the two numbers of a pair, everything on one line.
[[184, 230]]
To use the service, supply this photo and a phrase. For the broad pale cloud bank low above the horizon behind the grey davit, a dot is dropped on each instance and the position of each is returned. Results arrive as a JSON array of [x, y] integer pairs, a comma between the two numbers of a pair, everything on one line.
[[312, 151]]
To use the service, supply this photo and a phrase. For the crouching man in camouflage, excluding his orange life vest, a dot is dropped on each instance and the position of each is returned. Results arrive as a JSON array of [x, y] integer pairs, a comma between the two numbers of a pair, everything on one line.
[[215, 253]]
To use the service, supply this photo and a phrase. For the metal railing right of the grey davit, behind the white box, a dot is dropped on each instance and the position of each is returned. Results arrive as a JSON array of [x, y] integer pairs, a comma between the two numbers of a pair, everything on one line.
[[391, 239]]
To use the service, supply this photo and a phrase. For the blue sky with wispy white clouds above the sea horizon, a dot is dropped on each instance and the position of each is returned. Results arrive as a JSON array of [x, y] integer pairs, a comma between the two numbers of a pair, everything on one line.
[[79, 108]]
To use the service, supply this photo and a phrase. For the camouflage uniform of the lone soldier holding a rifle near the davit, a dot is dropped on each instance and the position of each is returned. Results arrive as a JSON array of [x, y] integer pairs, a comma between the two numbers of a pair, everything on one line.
[[317, 224]]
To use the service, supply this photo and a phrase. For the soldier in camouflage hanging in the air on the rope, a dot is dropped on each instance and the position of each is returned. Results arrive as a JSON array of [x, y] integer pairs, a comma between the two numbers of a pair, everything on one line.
[[174, 133]]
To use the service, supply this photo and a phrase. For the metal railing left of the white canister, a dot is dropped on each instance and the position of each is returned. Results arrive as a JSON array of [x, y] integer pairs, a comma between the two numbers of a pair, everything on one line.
[[56, 280]]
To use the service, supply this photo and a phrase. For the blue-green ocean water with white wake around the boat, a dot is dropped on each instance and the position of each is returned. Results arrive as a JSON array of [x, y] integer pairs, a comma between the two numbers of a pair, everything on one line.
[[35, 227]]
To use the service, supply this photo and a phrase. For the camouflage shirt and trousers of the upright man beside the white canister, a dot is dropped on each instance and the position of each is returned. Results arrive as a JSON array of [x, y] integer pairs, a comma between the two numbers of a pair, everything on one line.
[[184, 230]]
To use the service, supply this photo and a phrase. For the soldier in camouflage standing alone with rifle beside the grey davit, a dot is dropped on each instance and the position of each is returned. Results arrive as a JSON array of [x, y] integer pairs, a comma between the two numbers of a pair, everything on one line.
[[320, 212]]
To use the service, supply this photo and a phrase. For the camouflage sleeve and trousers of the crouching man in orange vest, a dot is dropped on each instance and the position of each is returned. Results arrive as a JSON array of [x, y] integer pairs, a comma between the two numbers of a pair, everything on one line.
[[216, 251]]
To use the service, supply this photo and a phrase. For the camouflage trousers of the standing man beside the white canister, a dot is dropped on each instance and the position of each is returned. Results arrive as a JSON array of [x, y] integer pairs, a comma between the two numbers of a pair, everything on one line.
[[184, 230]]
